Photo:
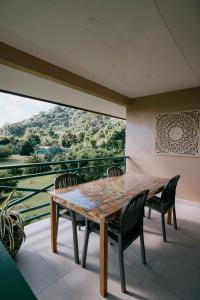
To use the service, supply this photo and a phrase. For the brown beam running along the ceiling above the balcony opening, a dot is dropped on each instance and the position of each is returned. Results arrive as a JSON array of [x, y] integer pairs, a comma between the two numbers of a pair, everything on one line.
[[21, 60]]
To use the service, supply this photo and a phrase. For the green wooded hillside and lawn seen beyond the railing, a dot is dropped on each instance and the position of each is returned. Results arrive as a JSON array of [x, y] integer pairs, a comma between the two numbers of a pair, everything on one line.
[[61, 134]]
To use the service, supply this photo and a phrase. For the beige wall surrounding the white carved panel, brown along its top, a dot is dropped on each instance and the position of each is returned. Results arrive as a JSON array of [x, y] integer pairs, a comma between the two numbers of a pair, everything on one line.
[[140, 141]]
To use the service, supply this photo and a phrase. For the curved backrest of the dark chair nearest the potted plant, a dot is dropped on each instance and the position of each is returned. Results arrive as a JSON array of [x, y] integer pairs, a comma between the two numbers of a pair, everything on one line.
[[65, 180]]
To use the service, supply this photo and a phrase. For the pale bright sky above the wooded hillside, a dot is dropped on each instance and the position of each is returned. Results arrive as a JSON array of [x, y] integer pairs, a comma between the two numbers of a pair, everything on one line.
[[16, 108]]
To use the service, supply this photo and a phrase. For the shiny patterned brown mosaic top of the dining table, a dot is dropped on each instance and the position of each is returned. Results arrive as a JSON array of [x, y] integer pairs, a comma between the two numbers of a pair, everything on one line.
[[102, 199]]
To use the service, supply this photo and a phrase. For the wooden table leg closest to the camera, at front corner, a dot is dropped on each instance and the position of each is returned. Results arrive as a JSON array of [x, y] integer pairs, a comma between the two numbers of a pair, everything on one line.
[[103, 258]]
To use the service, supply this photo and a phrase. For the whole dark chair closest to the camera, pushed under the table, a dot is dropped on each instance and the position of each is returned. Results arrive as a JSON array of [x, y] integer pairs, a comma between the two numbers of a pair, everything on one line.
[[127, 228]]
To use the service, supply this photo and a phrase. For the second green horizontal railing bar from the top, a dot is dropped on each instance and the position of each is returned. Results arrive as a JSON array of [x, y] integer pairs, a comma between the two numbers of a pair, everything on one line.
[[20, 177]]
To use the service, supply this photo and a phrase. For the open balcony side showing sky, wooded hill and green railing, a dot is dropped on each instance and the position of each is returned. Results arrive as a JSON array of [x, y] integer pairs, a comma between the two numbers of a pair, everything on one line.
[[39, 140]]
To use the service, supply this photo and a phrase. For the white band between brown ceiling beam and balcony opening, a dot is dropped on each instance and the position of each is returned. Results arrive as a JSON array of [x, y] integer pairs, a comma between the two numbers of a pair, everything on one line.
[[19, 82]]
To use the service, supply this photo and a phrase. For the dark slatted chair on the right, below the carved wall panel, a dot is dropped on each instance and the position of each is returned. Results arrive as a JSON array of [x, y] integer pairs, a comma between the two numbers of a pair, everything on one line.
[[164, 203]]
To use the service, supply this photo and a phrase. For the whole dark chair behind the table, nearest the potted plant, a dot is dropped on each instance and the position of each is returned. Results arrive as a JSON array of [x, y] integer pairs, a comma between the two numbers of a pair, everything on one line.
[[64, 181]]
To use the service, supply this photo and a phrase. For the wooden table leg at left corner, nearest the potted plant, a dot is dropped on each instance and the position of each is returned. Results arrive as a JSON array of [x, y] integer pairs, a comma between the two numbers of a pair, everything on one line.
[[53, 226]]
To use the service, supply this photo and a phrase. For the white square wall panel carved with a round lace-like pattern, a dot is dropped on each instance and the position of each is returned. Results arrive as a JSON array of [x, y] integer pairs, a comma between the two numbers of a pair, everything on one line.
[[178, 133]]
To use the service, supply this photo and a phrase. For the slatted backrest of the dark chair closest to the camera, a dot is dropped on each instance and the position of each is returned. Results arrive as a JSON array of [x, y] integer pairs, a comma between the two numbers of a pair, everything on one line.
[[131, 216]]
